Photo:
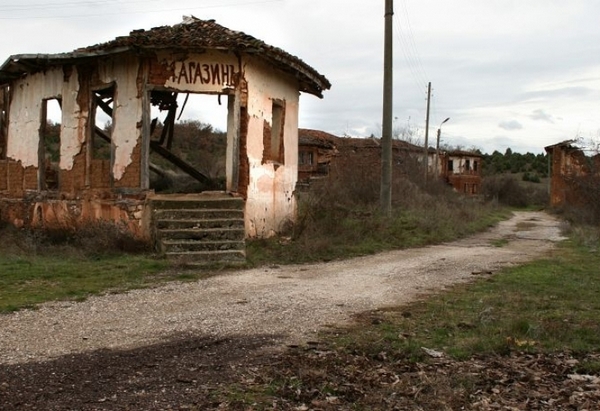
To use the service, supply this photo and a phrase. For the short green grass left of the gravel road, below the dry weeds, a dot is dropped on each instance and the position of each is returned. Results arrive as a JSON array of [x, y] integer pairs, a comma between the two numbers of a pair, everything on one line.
[[28, 281]]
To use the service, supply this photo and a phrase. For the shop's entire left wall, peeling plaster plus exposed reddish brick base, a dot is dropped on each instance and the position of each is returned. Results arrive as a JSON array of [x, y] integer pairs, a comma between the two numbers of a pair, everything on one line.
[[74, 202]]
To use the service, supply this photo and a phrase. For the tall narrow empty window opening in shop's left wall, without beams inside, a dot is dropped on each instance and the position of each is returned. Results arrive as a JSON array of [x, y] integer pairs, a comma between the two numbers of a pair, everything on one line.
[[49, 147]]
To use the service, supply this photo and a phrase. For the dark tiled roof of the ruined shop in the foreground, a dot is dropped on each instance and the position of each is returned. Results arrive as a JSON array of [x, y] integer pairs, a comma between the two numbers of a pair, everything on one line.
[[191, 34]]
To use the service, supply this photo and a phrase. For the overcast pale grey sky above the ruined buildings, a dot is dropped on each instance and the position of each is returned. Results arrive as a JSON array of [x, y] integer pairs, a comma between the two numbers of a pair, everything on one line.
[[522, 74]]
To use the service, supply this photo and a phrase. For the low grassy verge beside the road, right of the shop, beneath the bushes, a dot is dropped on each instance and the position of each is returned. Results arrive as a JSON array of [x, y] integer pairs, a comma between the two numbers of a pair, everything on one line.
[[336, 234]]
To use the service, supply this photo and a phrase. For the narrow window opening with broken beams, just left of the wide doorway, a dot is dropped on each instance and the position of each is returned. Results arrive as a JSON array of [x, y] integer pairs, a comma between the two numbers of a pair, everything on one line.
[[103, 106]]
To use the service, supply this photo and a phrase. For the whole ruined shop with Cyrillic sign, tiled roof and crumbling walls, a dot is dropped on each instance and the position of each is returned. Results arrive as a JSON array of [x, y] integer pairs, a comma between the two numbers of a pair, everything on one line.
[[128, 79]]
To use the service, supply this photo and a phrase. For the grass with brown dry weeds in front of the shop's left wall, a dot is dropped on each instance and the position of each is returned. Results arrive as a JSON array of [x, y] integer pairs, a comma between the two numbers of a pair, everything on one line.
[[37, 266]]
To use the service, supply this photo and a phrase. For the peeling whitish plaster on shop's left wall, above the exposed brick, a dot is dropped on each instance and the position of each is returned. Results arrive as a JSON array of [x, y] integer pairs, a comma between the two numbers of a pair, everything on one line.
[[26, 109]]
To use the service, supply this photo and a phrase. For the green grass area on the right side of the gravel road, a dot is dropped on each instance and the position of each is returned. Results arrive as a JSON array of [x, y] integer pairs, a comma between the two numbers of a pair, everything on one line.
[[551, 305]]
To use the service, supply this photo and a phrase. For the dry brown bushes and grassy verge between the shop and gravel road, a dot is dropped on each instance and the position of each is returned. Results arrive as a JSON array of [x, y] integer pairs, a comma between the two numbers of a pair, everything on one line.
[[339, 217]]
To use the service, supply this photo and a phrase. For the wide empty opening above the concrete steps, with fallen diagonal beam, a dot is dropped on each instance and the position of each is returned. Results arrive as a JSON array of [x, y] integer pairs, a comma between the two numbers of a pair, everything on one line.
[[188, 141]]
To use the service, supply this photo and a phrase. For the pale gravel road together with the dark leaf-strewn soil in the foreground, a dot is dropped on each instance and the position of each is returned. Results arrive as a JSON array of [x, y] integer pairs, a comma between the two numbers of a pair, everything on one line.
[[190, 368]]
